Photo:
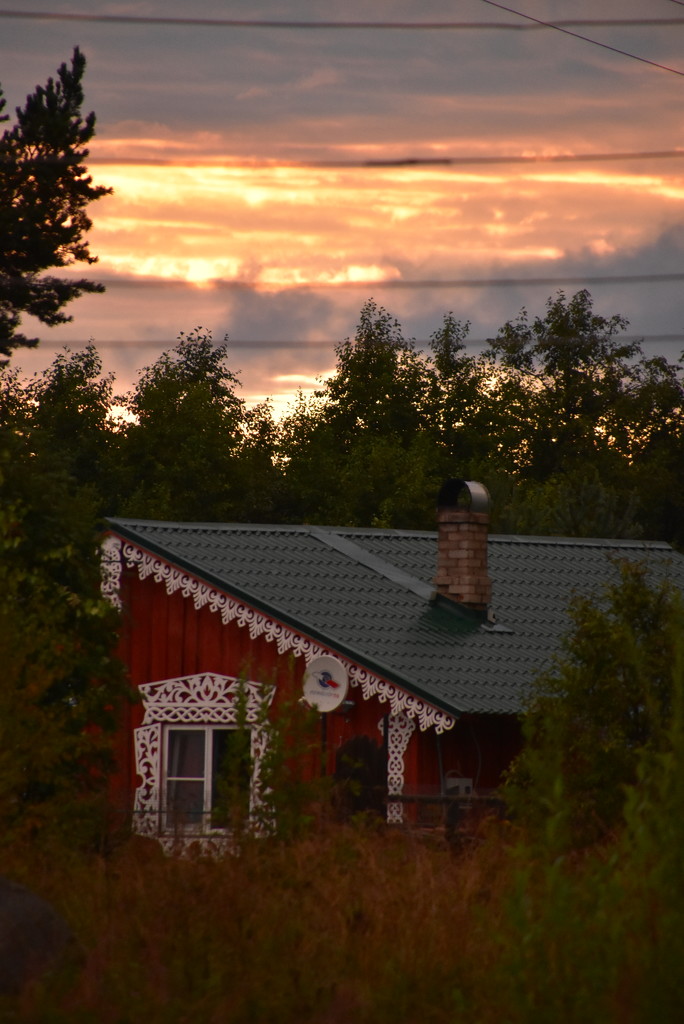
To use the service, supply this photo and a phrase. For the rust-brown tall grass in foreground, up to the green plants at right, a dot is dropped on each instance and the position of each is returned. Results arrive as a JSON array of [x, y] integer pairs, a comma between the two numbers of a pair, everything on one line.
[[353, 924]]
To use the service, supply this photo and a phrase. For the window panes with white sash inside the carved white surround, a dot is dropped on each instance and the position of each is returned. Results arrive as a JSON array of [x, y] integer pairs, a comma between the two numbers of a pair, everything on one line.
[[207, 778]]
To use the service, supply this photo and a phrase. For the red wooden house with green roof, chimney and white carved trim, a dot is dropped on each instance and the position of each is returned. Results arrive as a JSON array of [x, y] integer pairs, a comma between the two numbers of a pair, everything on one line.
[[438, 636]]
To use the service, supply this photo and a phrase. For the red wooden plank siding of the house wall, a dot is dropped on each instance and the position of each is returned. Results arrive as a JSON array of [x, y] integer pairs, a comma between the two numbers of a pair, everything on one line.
[[164, 636]]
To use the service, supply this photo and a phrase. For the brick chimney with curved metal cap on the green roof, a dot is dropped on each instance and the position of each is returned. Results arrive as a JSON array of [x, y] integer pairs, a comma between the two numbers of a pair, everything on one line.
[[463, 520]]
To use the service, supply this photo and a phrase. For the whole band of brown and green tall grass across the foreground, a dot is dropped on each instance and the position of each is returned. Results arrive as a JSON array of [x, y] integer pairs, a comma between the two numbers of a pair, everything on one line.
[[358, 923]]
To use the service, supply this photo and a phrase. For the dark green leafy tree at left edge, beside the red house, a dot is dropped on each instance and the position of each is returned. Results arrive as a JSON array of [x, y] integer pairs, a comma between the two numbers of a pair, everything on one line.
[[62, 686]]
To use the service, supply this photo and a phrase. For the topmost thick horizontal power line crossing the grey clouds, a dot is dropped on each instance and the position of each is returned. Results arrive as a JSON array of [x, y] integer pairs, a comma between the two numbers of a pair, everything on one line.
[[327, 25]]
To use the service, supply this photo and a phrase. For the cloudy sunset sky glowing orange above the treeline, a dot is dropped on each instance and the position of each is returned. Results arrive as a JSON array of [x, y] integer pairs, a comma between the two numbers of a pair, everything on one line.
[[262, 190]]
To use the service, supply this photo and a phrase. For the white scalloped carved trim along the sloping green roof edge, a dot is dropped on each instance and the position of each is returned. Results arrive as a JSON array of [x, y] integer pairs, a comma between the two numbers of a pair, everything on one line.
[[286, 638]]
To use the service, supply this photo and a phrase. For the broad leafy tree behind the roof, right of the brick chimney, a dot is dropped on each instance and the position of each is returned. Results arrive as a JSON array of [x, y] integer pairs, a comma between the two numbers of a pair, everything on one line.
[[580, 416]]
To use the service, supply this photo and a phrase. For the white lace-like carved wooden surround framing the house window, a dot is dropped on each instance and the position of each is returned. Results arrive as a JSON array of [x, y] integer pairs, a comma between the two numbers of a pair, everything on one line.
[[204, 699]]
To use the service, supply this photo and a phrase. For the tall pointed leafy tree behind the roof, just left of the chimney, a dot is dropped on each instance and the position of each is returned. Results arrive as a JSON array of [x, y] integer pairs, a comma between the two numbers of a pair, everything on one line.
[[356, 453]]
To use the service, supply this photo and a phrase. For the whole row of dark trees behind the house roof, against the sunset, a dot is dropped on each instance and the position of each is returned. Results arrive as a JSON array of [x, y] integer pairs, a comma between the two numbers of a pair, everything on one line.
[[574, 432]]
